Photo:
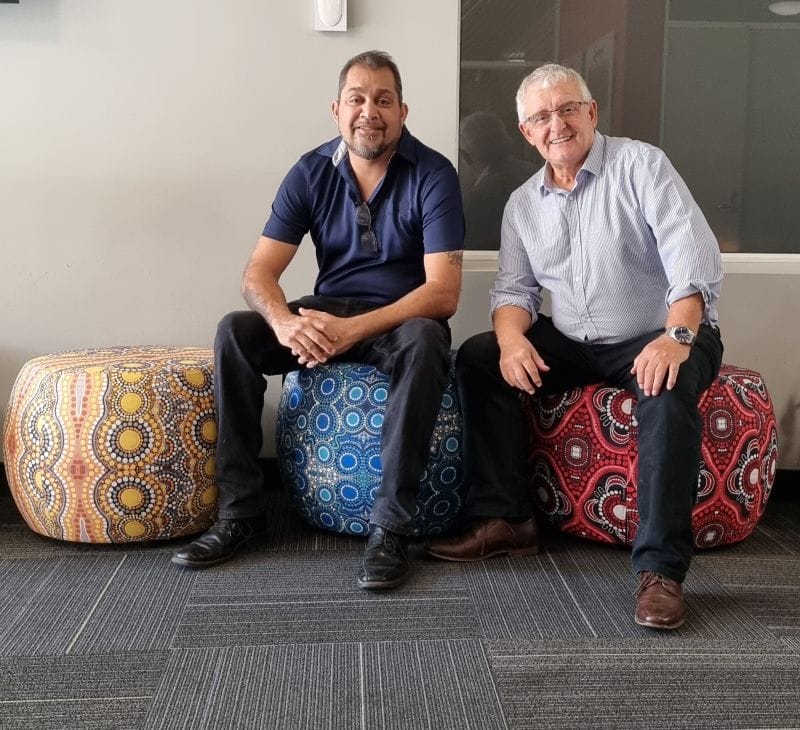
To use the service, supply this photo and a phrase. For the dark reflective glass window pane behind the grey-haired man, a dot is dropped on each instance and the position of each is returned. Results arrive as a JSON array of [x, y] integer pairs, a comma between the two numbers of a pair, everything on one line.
[[714, 84]]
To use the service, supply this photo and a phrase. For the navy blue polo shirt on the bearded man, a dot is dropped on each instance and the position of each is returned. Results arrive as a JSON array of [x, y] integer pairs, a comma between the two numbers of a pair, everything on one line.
[[416, 209]]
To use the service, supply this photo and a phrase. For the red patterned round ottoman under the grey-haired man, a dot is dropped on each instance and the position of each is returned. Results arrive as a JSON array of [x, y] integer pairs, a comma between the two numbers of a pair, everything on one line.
[[584, 460]]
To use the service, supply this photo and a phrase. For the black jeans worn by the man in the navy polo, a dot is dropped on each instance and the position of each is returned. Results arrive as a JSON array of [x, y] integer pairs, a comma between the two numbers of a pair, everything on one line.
[[415, 356]]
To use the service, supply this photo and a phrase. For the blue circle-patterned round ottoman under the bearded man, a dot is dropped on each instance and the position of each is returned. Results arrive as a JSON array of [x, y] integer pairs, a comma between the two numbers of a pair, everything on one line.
[[328, 442]]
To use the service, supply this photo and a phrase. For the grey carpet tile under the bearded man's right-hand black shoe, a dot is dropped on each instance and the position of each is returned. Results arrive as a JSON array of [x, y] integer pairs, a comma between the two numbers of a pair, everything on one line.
[[281, 598]]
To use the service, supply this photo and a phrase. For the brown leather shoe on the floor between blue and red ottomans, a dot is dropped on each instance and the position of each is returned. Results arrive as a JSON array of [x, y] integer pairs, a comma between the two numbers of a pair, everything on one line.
[[487, 537]]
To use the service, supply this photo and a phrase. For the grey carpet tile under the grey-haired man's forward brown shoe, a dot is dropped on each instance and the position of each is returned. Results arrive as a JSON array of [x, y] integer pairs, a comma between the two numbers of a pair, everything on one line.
[[576, 589]]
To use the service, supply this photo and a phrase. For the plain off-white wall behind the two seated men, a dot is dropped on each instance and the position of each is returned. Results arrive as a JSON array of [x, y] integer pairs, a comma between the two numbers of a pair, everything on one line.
[[141, 143]]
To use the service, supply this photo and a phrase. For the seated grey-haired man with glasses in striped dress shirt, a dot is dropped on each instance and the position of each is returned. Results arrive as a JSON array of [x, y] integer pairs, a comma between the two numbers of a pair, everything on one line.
[[610, 229]]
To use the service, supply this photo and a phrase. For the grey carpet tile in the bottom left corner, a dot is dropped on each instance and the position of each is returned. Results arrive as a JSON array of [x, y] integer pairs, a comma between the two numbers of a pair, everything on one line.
[[105, 691]]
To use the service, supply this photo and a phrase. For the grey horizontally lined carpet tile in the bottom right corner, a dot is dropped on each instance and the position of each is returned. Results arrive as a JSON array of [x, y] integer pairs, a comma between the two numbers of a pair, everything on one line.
[[641, 684]]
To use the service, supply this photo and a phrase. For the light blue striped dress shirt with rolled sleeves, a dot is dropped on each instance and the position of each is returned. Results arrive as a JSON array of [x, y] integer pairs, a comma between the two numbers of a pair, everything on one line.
[[614, 252]]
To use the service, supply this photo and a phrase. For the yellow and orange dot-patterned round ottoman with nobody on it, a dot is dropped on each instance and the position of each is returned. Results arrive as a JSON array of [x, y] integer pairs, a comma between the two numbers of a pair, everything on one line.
[[114, 445]]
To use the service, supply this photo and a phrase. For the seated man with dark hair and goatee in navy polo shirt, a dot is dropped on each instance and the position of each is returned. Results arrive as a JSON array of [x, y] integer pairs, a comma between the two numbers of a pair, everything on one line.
[[385, 215]]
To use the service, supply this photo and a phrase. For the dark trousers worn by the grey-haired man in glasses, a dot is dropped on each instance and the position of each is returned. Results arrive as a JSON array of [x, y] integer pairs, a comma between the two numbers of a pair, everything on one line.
[[496, 434]]
